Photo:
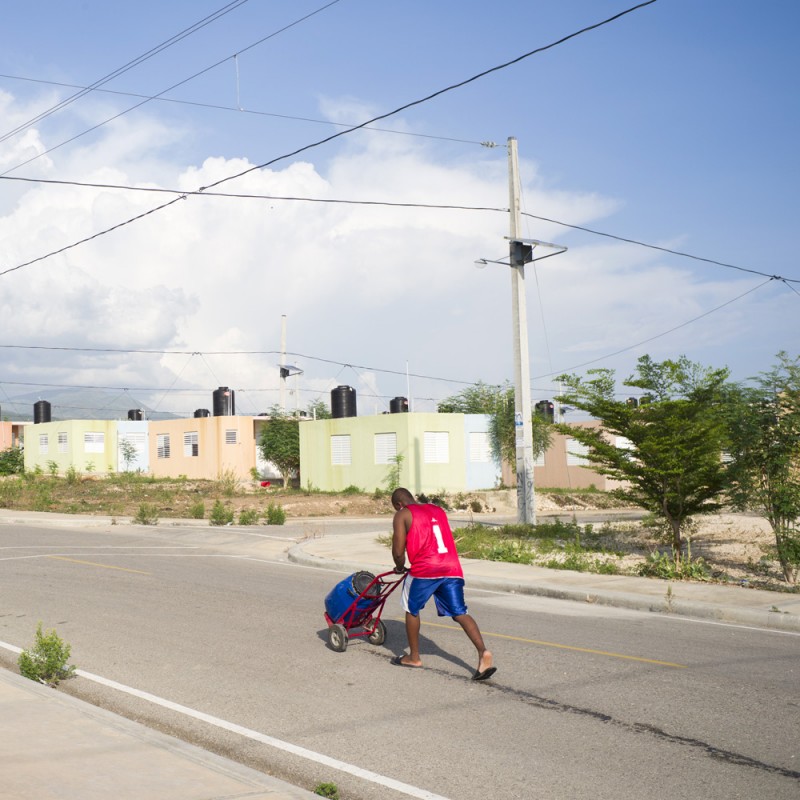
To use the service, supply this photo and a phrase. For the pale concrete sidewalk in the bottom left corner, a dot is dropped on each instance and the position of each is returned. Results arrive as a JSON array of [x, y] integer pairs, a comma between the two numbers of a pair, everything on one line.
[[53, 746]]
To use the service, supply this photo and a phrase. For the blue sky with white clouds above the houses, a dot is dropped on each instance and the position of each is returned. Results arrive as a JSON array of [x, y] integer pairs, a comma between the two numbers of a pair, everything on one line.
[[674, 126]]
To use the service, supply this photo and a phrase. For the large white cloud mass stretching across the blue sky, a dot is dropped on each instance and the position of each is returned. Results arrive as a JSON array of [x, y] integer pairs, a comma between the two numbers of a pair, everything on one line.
[[370, 286]]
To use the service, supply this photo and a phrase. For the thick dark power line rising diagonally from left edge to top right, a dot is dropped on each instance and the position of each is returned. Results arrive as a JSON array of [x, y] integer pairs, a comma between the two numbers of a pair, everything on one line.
[[339, 134]]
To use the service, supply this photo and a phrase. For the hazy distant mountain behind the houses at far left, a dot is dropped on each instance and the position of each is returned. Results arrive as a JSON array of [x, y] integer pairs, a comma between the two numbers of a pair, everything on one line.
[[77, 404]]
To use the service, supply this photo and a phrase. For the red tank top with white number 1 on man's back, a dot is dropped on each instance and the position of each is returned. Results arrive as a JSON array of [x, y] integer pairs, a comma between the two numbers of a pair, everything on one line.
[[430, 545]]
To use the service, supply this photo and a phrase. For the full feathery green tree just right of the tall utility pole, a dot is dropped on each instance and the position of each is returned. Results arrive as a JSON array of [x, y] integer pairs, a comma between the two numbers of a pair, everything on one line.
[[672, 459]]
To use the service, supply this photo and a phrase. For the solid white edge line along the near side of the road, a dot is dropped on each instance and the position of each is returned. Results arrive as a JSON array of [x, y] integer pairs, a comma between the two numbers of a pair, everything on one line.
[[278, 744]]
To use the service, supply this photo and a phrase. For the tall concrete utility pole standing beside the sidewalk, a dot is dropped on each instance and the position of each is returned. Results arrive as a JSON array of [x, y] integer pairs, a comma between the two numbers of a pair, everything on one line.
[[523, 427]]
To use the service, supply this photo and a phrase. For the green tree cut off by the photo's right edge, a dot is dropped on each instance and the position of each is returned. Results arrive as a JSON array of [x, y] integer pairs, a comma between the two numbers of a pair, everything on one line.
[[764, 452]]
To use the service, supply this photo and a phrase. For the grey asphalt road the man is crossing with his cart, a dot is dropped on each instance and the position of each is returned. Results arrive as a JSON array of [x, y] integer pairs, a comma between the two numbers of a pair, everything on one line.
[[588, 702]]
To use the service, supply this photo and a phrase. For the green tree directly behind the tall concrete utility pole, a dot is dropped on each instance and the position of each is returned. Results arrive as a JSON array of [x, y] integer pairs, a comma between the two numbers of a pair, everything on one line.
[[498, 403]]
